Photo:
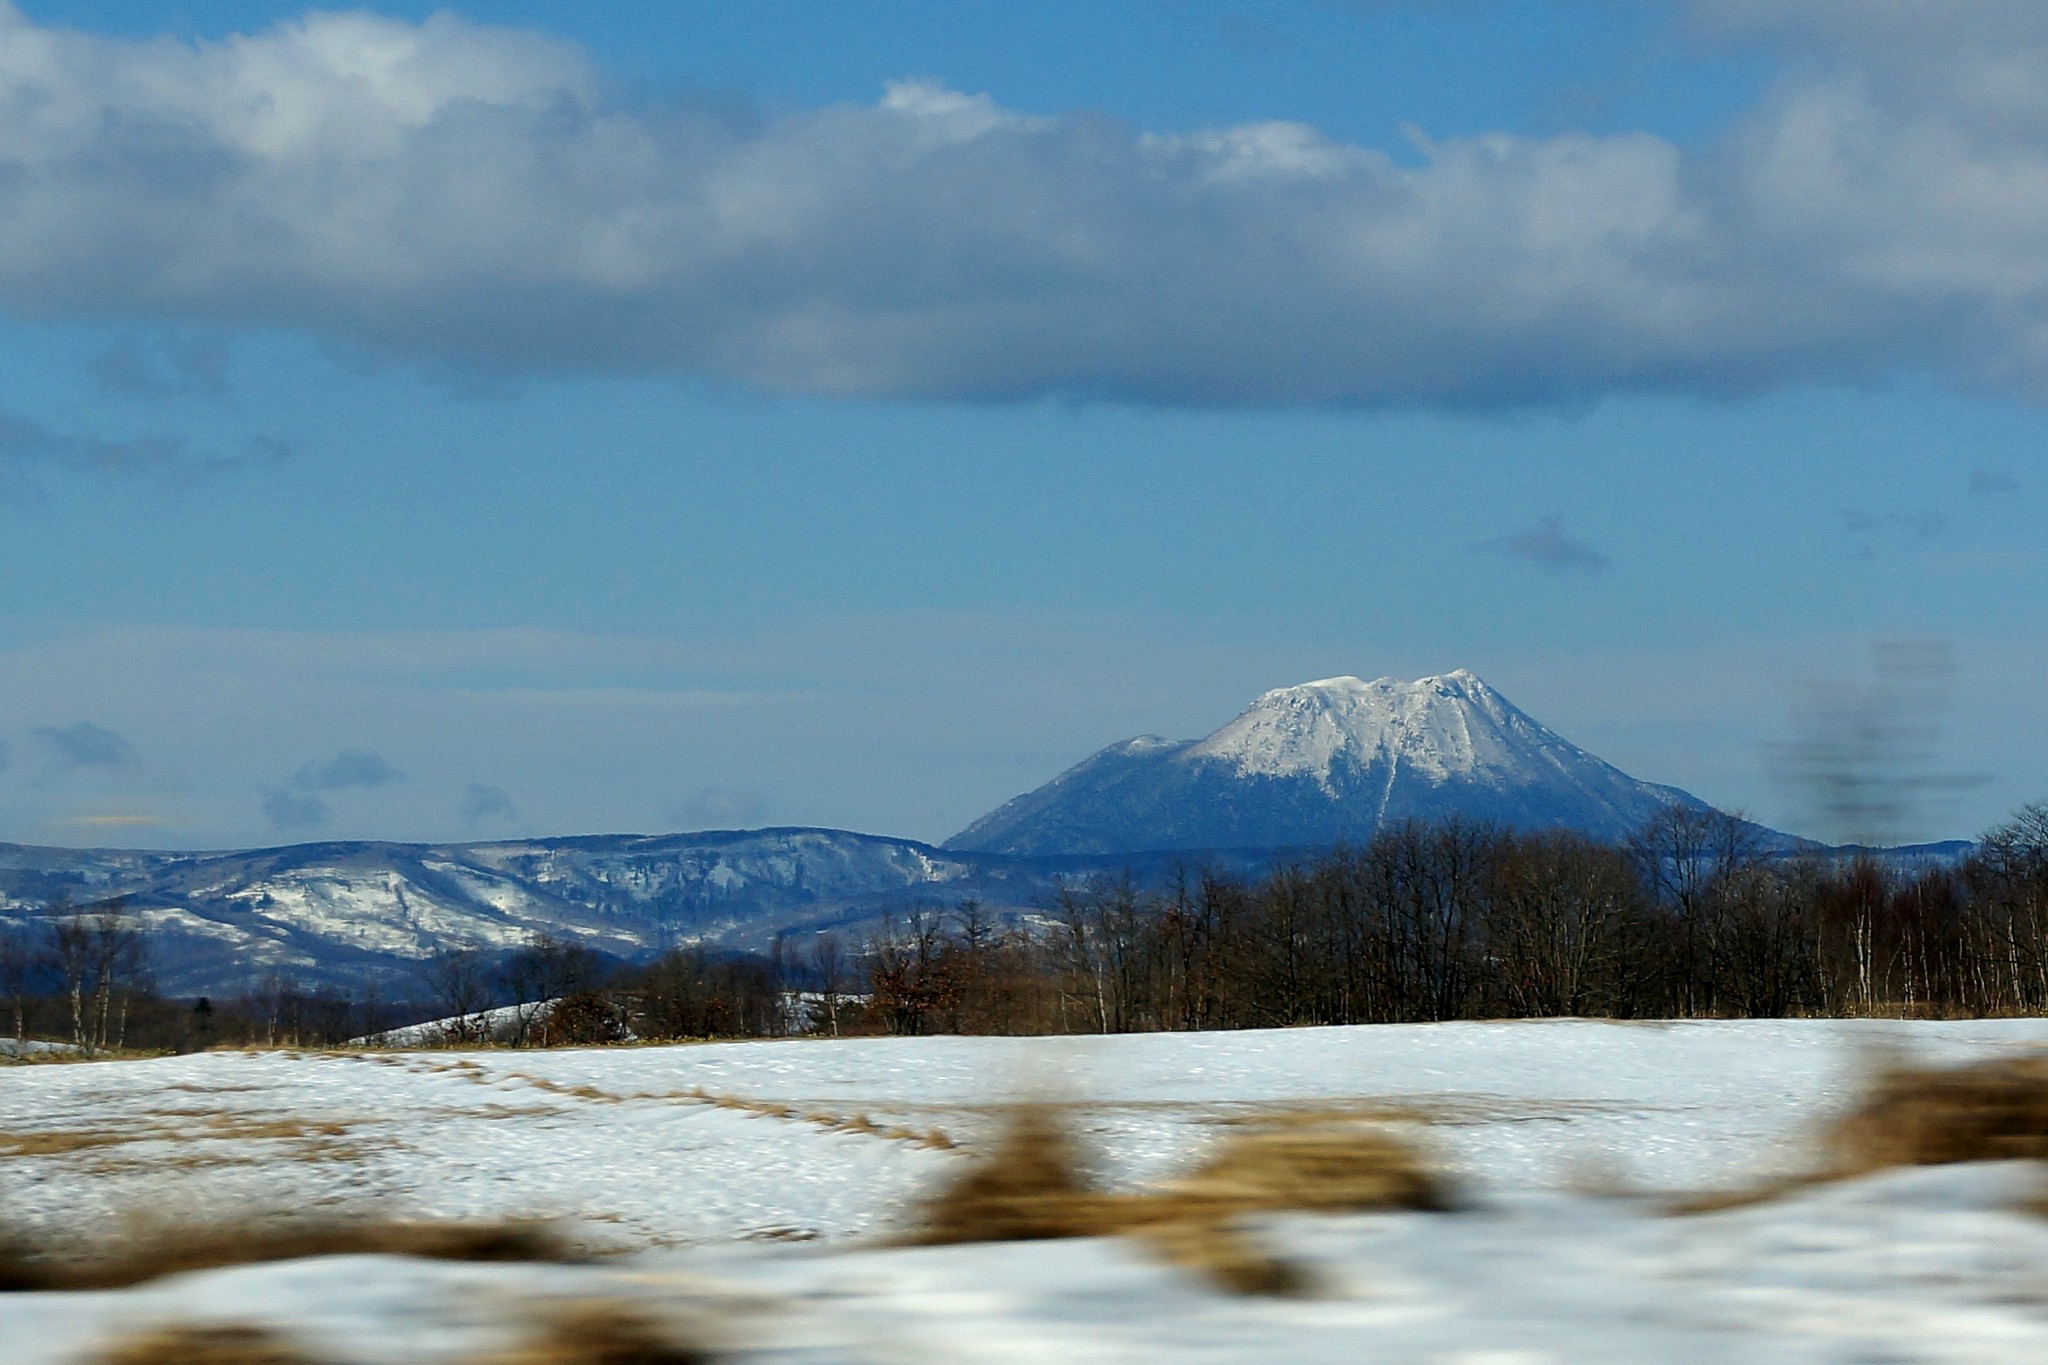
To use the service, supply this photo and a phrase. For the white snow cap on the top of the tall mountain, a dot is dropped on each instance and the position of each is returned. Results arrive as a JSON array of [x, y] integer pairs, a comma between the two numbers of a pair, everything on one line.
[[1435, 728]]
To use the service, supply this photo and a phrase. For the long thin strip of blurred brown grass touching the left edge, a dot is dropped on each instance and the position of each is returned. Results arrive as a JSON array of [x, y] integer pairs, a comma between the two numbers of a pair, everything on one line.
[[157, 1251]]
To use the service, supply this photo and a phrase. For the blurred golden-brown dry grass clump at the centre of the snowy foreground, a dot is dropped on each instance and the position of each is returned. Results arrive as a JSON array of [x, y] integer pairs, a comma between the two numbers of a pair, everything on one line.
[[1033, 1186]]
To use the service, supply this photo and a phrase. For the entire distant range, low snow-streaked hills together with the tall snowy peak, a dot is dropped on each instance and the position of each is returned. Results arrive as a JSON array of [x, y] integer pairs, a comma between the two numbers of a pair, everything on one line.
[[1302, 770]]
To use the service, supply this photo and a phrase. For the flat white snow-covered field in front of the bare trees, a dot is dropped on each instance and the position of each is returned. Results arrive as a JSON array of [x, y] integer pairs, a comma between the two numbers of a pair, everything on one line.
[[753, 1184]]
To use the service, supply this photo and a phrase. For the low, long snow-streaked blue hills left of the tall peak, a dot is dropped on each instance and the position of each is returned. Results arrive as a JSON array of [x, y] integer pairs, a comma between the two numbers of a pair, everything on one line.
[[353, 912]]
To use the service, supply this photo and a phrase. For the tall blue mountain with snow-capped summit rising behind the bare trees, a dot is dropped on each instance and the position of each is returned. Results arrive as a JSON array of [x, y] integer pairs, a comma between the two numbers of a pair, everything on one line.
[[1326, 762]]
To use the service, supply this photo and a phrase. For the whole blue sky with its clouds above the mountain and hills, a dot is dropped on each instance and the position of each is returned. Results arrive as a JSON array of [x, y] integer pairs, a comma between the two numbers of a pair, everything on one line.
[[617, 419]]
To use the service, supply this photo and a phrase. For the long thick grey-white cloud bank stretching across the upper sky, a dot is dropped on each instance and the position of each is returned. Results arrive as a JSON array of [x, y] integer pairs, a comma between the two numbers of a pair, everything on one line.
[[484, 200]]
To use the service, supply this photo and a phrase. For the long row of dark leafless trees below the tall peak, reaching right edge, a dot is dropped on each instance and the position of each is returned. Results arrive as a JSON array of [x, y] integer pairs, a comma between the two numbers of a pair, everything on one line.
[[1691, 918]]
